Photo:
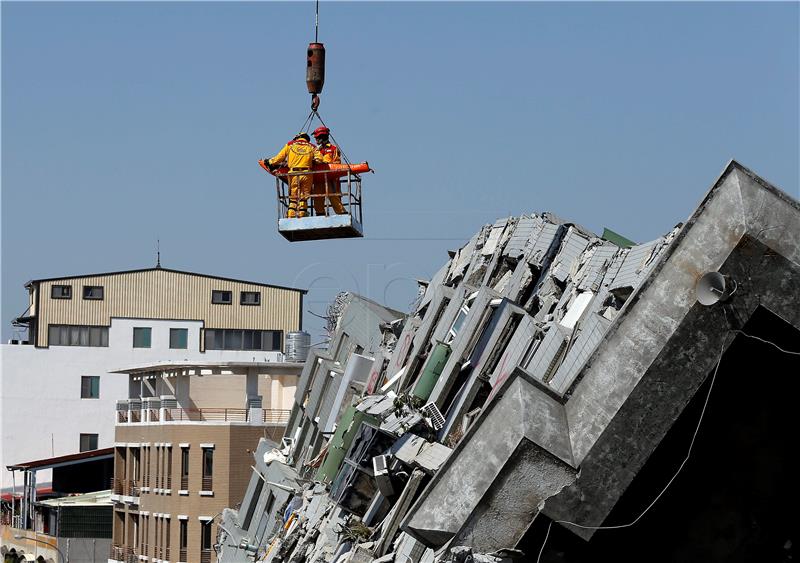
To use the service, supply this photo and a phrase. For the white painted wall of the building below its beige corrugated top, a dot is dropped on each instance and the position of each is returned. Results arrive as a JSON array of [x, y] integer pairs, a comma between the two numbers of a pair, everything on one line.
[[41, 412]]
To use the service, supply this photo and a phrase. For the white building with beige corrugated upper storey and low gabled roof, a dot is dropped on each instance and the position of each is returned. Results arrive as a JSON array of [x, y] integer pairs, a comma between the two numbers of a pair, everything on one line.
[[80, 328]]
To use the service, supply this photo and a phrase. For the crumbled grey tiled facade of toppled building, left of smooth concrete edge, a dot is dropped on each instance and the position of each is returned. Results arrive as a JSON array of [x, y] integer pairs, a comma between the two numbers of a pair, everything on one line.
[[378, 413]]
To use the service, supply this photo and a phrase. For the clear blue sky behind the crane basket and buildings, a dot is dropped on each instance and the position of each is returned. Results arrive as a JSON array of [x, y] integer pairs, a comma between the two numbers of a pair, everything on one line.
[[123, 123]]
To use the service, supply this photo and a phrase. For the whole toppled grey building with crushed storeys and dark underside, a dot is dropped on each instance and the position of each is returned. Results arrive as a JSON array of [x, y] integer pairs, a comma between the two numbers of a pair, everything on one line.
[[548, 379]]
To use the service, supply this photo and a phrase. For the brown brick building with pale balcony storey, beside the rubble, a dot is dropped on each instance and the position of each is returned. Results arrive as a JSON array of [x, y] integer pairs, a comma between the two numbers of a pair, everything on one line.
[[183, 451]]
